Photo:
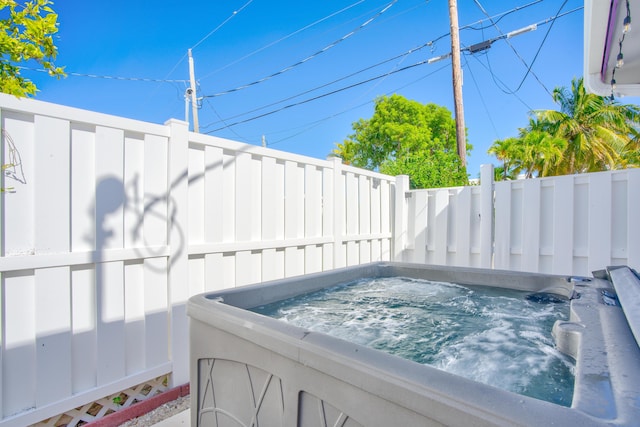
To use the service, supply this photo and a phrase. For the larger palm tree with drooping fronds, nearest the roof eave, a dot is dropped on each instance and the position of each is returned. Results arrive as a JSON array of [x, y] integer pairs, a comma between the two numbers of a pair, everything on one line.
[[601, 134]]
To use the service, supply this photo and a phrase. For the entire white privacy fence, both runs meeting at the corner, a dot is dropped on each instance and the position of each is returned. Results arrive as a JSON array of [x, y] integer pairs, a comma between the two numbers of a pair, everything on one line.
[[110, 225]]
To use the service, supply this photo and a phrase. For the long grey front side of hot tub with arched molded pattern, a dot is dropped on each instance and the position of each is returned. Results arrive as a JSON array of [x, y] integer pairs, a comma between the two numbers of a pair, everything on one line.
[[248, 367]]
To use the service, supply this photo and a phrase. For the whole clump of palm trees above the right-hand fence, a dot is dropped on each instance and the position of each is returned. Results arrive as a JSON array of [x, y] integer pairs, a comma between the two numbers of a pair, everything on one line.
[[588, 133]]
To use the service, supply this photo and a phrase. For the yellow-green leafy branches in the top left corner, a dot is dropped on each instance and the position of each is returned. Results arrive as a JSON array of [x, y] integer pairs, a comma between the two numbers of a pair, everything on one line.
[[26, 34]]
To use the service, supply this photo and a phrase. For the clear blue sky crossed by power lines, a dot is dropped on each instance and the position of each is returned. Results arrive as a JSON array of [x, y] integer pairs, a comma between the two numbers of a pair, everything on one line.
[[238, 42]]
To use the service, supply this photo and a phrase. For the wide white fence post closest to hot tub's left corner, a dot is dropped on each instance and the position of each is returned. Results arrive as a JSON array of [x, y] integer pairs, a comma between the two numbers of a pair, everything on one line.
[[178, 268]]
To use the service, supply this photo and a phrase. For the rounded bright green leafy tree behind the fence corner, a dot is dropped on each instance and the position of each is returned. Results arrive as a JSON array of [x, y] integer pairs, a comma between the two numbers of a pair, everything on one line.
[[406, 137]]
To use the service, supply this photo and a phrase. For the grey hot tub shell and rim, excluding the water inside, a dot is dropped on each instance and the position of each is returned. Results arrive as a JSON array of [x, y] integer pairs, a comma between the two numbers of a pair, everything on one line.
[[248, 369]]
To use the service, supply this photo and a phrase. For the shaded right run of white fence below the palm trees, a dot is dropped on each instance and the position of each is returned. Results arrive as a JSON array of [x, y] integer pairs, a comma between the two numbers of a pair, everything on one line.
[[569, 225]]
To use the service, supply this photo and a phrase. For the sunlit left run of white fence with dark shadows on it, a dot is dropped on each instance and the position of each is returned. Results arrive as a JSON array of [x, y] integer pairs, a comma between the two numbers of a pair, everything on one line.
[[110, 225]]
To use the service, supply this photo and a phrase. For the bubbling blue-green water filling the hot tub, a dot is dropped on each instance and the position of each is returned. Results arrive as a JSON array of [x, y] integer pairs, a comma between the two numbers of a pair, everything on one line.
[[495, 336]]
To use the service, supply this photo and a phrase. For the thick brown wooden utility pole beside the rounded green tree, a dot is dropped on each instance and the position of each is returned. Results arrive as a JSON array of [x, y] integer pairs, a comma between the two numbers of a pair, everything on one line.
[[461, 139]]
